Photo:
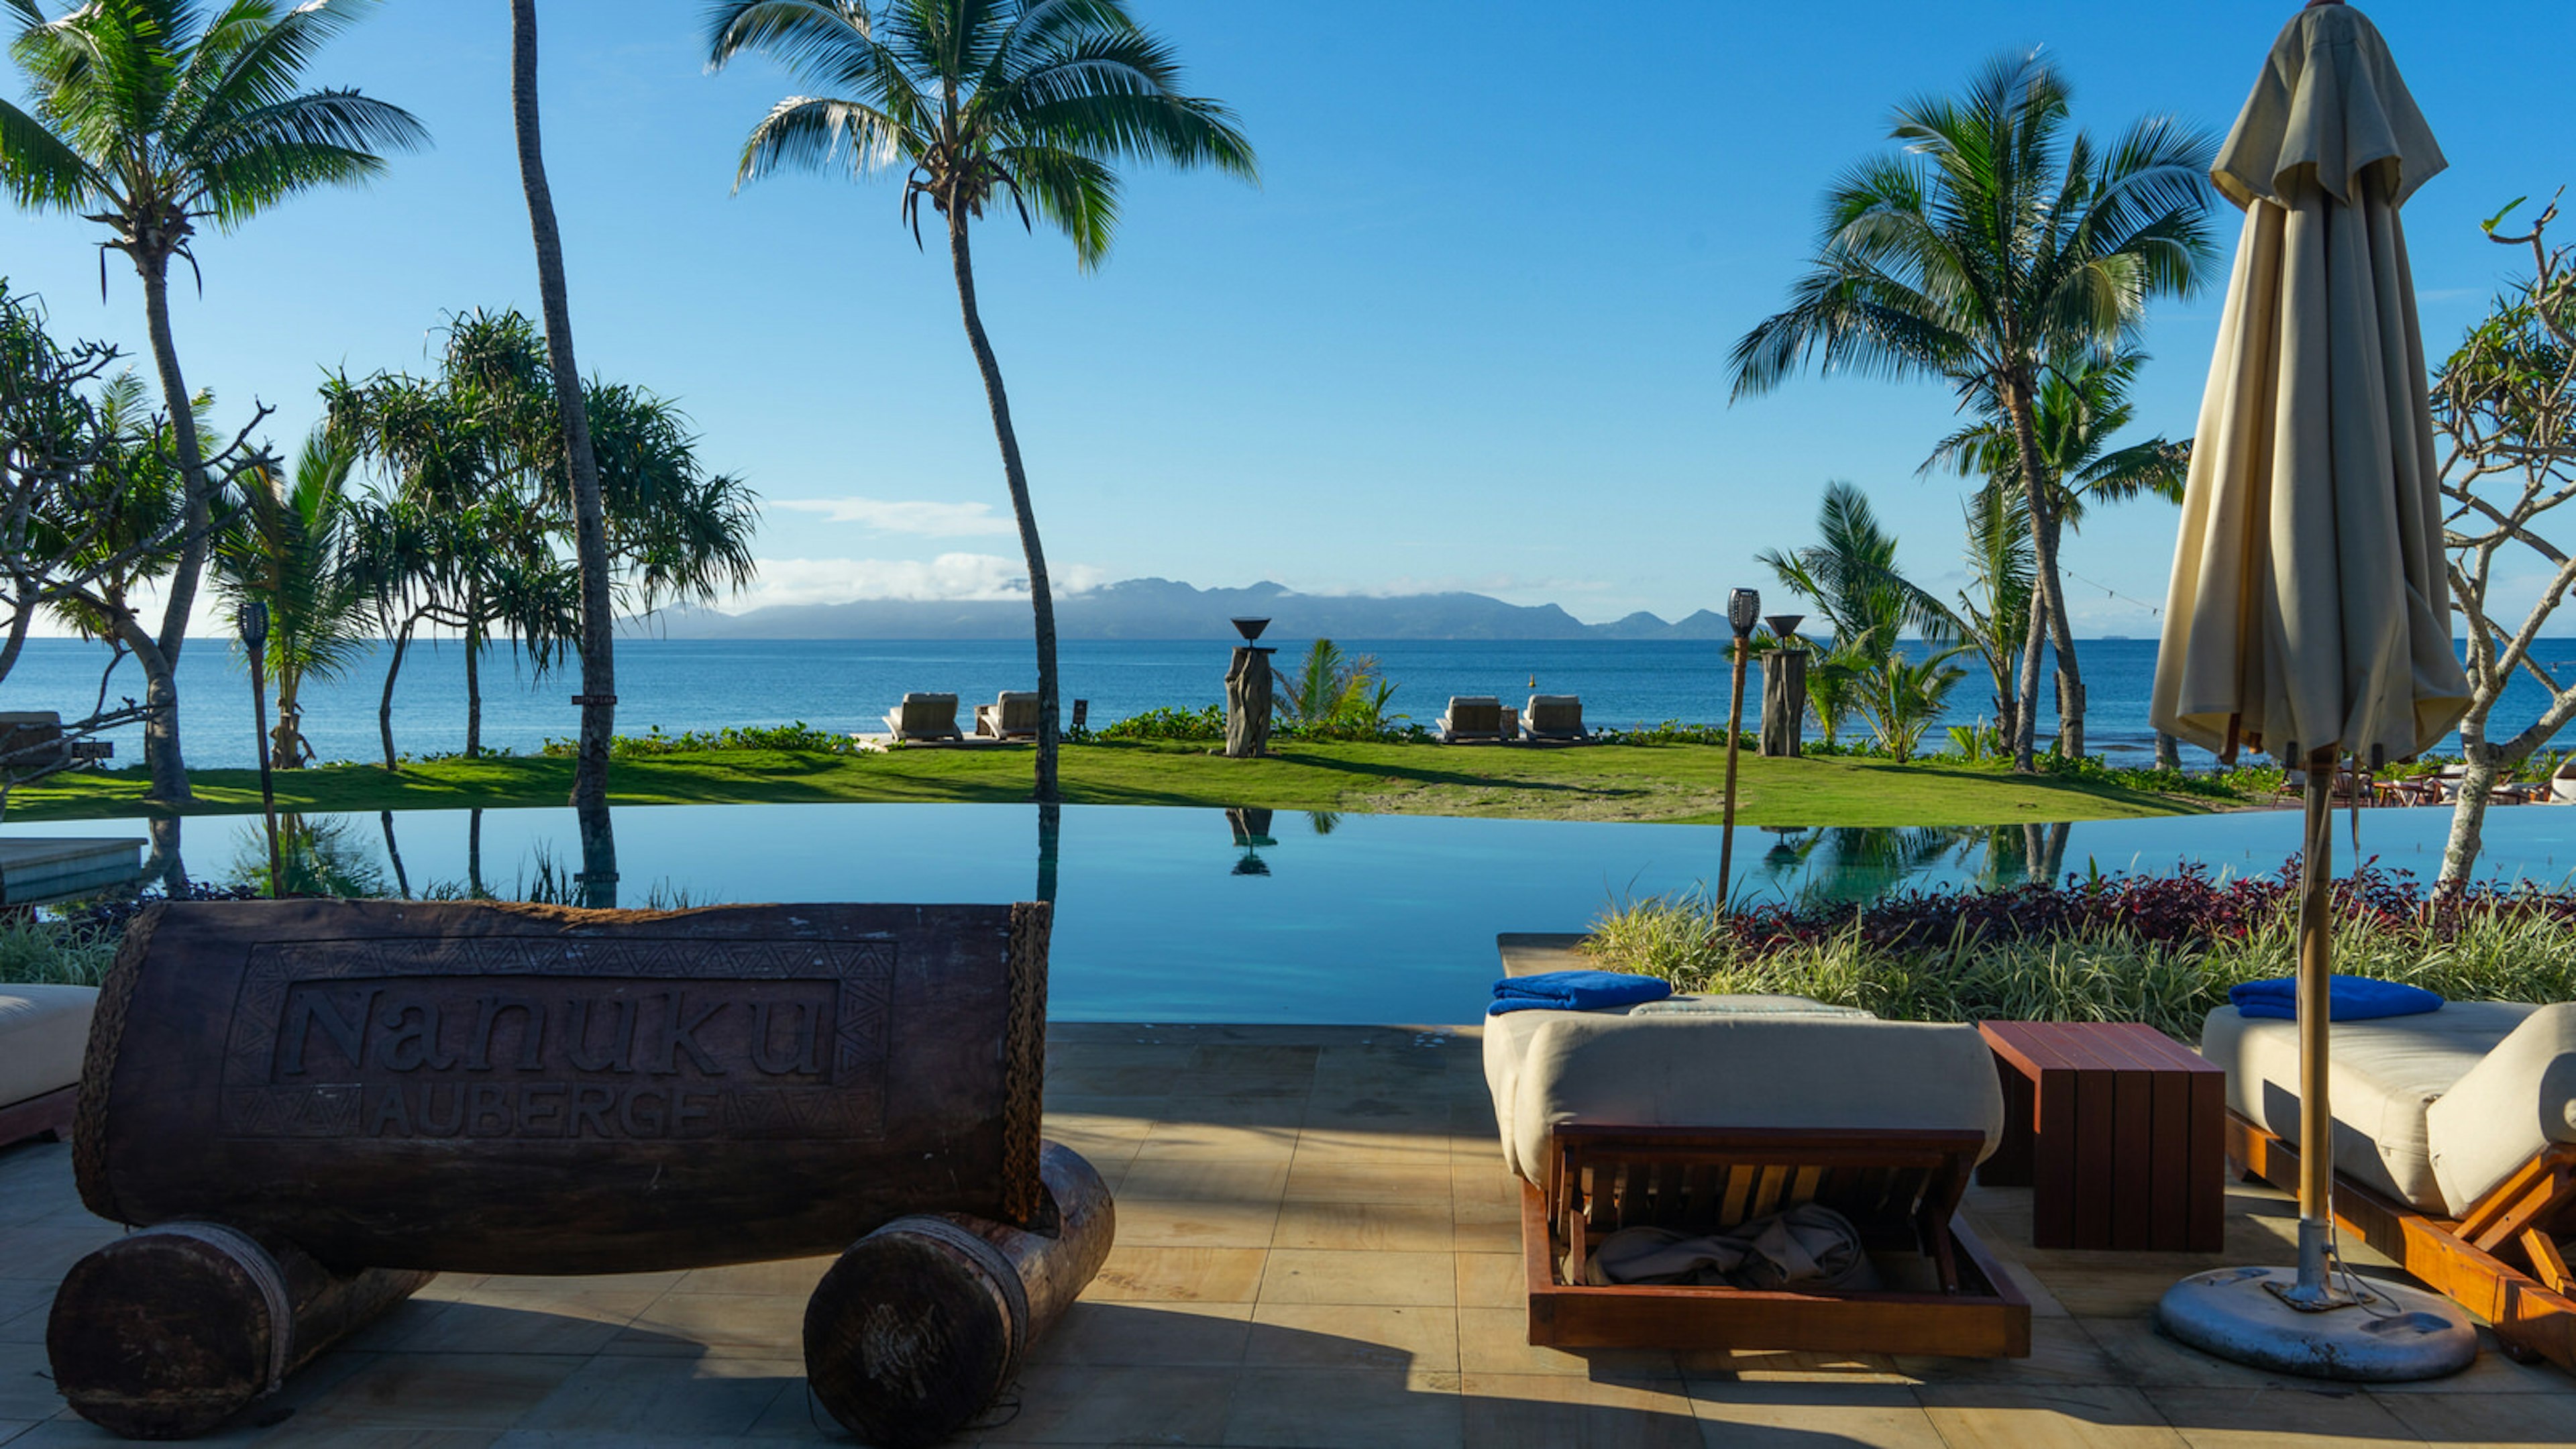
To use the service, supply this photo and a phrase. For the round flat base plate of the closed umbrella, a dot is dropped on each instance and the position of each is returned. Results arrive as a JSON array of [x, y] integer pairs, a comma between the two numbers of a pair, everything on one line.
[[2400, 1334]]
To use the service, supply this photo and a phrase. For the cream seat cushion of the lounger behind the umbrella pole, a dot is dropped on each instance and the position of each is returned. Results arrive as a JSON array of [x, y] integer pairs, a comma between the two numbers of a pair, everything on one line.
[[2382, 1082]]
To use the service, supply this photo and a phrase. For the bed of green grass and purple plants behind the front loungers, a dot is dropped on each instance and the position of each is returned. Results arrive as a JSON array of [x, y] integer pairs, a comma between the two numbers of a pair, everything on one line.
[[2160, 950]]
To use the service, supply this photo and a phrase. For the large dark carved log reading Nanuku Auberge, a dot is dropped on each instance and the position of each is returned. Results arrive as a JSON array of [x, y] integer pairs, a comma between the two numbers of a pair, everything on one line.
[[516, 1089]]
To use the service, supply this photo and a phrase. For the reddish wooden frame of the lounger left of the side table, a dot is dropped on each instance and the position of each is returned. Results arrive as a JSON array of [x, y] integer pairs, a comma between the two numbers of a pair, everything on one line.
[[1897, 1187]]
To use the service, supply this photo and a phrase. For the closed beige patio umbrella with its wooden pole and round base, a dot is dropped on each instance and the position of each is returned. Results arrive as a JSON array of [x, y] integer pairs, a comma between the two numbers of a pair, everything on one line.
[[2309, 610]]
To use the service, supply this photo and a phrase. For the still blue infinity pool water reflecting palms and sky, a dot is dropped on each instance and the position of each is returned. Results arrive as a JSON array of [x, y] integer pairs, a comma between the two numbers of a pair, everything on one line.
[[1253, 914]]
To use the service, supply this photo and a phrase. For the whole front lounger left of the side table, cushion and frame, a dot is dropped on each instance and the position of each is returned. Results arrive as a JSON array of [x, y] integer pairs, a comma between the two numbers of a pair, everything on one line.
[[1709, 1115]]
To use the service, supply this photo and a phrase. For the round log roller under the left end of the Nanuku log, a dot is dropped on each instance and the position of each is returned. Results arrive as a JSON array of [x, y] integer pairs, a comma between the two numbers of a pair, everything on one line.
[[176, 1329]]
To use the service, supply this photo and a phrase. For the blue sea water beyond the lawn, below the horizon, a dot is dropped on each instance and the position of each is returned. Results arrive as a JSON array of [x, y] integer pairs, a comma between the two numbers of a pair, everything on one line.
[[846, 685]]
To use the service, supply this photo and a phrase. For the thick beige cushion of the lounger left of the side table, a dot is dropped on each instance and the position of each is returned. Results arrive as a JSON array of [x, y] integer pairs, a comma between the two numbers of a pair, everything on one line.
[[1732, 1071]]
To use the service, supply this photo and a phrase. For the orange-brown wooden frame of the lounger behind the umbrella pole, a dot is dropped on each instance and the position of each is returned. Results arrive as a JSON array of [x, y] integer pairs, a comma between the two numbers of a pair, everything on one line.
[[2500, 1259]]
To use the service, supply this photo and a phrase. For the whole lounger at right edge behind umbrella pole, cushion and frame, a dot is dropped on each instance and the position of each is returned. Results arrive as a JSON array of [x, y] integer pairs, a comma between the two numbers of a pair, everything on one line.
[[2454, 1149]]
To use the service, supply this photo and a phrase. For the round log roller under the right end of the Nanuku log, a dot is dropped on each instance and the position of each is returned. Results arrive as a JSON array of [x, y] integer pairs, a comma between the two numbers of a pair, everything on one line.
[[923, 1321]]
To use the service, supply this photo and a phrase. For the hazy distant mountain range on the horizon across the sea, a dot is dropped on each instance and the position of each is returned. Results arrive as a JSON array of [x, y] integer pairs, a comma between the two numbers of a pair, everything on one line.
[[1166, 610]]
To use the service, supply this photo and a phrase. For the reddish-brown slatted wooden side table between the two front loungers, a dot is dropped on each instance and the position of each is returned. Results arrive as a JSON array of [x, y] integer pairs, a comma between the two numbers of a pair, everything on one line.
[[2119, 1133]]
